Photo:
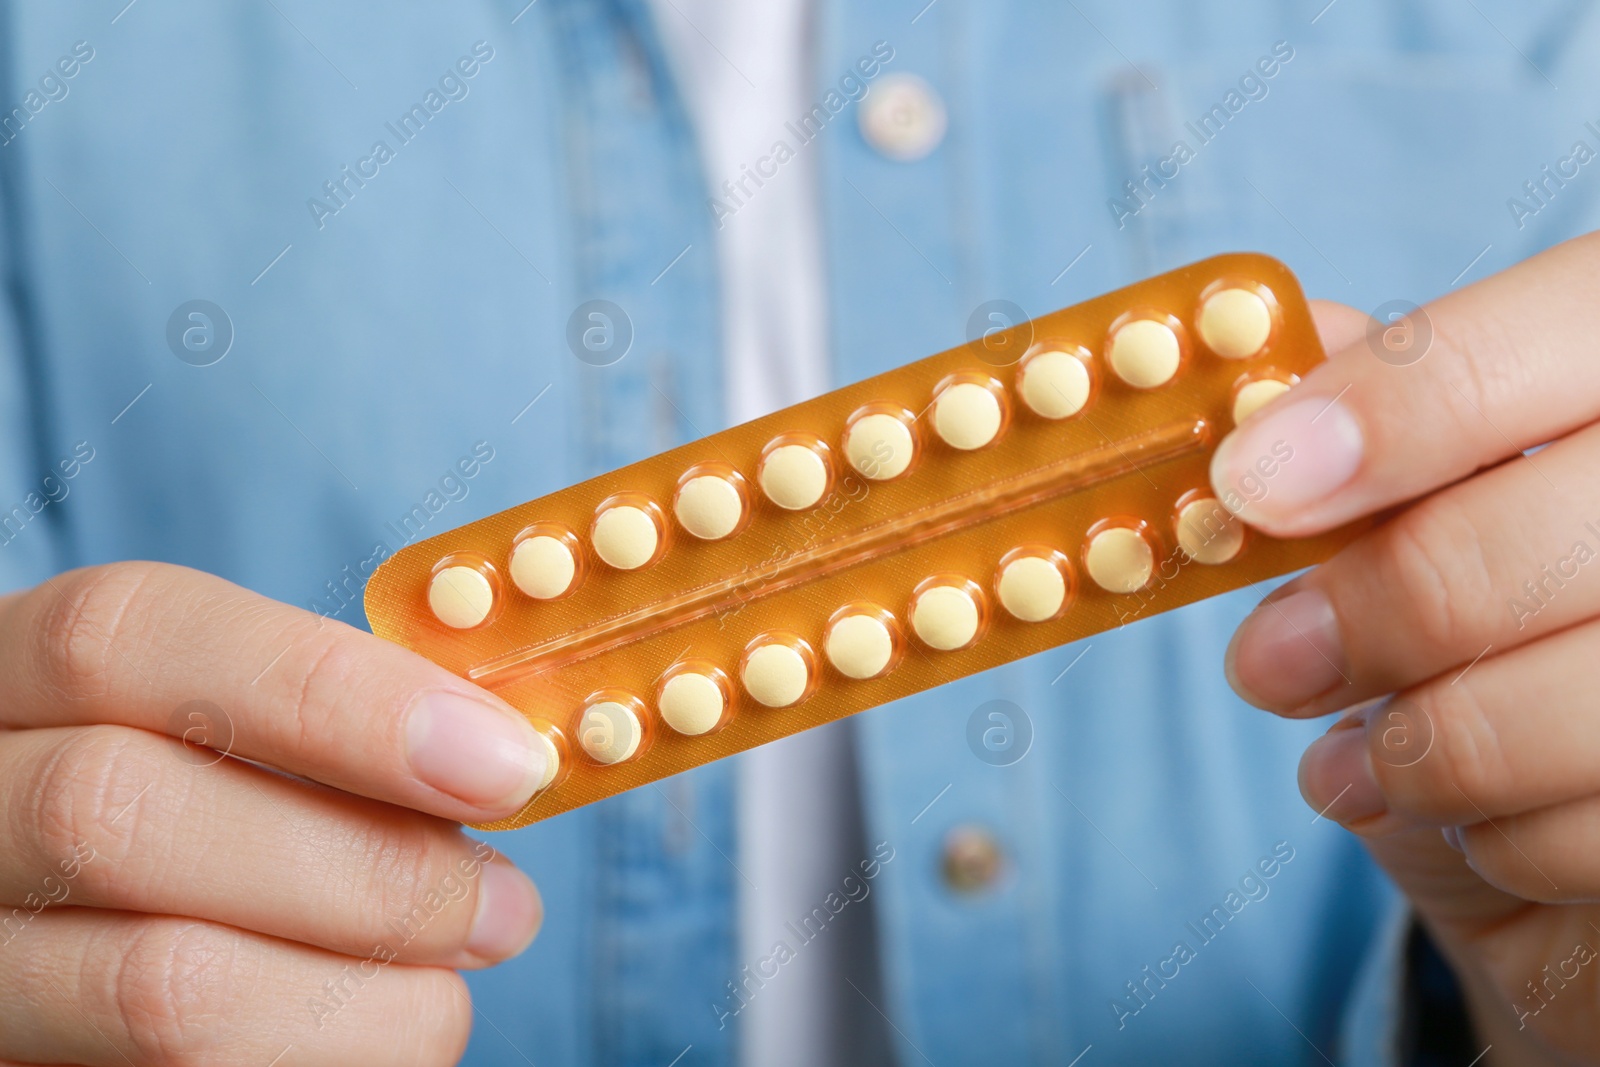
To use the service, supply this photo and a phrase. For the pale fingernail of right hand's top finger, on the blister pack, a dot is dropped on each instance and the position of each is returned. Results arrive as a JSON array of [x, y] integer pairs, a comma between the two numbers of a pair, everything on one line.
[[1276, 468]]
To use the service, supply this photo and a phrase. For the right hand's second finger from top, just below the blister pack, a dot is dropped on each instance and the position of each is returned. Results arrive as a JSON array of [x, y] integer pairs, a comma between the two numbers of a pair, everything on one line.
[[1474, 570]]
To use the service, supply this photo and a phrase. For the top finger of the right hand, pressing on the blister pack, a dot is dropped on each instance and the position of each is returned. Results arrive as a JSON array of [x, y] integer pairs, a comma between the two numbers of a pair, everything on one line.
[[1508, 369]]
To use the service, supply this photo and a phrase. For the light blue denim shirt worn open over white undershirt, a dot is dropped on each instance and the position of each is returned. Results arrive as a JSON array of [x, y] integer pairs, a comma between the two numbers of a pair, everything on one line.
[[396, 310]]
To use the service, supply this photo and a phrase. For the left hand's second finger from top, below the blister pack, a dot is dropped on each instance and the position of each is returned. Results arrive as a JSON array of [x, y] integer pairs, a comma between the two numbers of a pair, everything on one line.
[[118, 818]]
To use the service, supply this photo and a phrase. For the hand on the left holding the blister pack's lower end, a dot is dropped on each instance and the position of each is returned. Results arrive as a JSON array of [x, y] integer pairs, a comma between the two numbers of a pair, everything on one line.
[[166, 905]]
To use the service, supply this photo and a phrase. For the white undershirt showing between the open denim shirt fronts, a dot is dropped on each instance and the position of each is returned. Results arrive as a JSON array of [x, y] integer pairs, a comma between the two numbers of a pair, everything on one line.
[[743, 71]]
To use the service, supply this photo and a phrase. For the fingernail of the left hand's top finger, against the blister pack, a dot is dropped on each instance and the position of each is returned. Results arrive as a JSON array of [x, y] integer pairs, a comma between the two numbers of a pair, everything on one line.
[[473, 751]]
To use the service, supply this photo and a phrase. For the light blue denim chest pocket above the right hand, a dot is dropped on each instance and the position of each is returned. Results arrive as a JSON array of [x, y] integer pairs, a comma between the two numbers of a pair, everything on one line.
[[1377, 177]]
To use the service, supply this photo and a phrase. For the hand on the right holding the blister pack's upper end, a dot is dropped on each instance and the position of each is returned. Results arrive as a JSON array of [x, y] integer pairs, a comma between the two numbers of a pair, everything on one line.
[[1478, 607]]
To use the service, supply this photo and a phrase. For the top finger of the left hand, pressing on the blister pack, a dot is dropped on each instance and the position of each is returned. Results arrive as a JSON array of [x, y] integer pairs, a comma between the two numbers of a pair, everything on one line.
[[174, 650]]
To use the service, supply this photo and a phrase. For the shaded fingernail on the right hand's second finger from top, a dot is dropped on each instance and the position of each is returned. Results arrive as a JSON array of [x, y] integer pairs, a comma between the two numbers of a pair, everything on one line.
[[1287, 652]]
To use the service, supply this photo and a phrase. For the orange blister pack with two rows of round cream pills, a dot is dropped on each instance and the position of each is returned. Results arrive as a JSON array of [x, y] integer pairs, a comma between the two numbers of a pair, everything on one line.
[[1039, 486]]
